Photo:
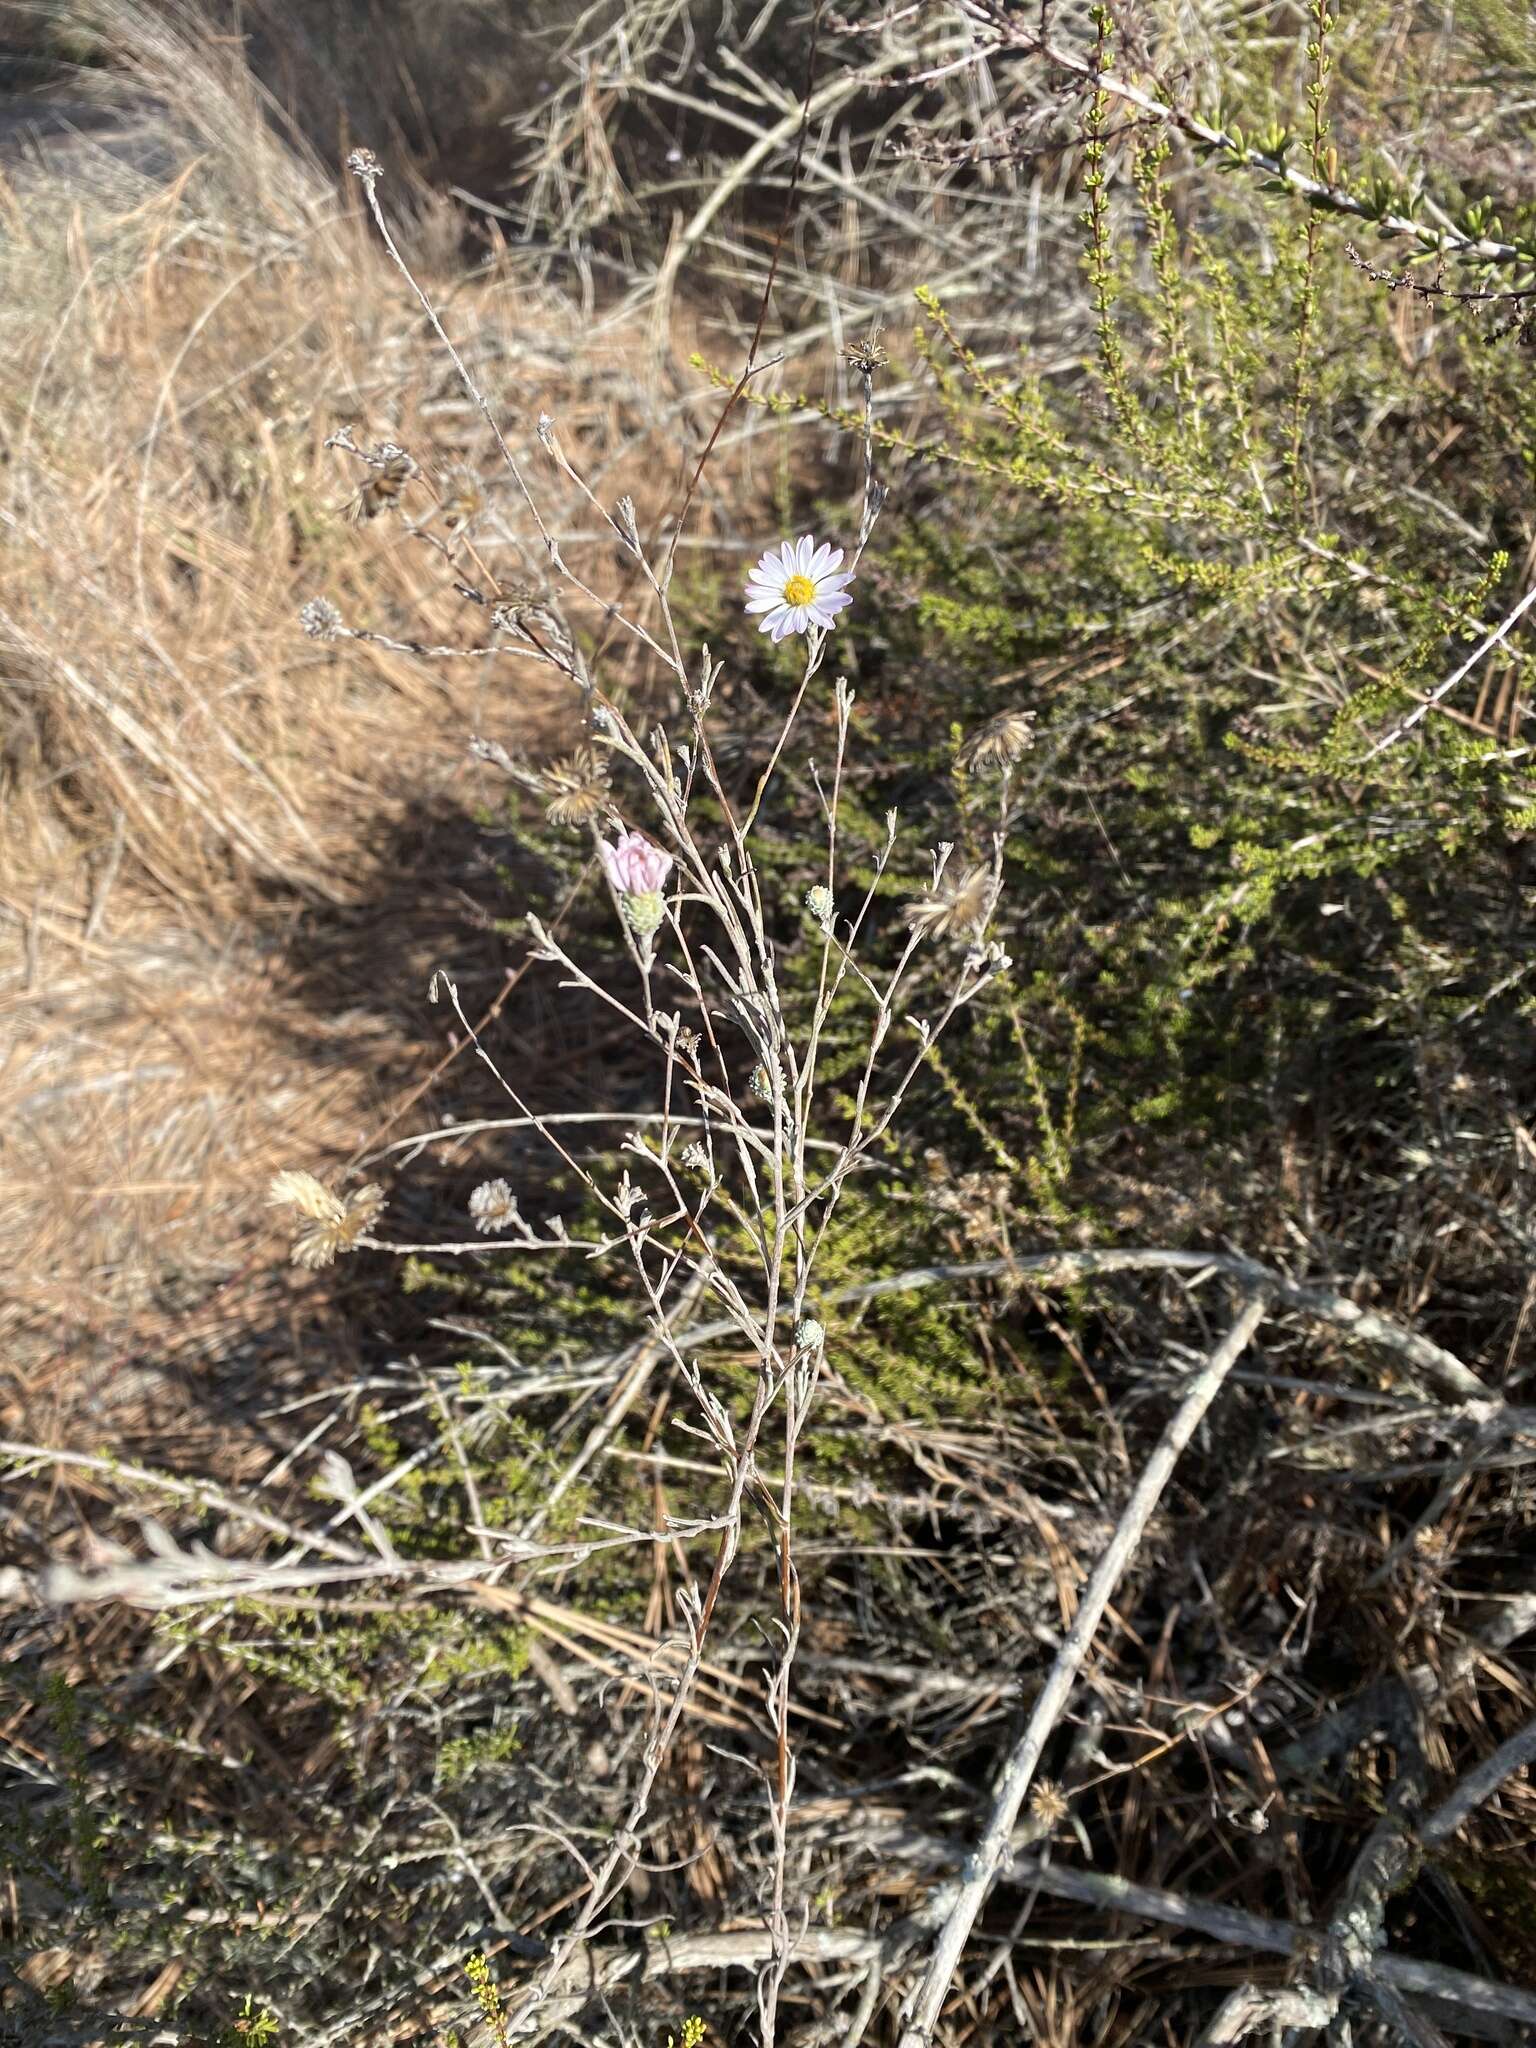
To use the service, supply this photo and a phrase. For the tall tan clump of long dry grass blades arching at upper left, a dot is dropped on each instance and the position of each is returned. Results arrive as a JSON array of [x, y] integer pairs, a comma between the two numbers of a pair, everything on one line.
[[179, 349]]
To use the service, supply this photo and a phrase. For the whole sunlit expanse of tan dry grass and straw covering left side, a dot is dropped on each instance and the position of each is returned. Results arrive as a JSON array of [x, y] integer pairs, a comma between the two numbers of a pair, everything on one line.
[[191, 787]]
